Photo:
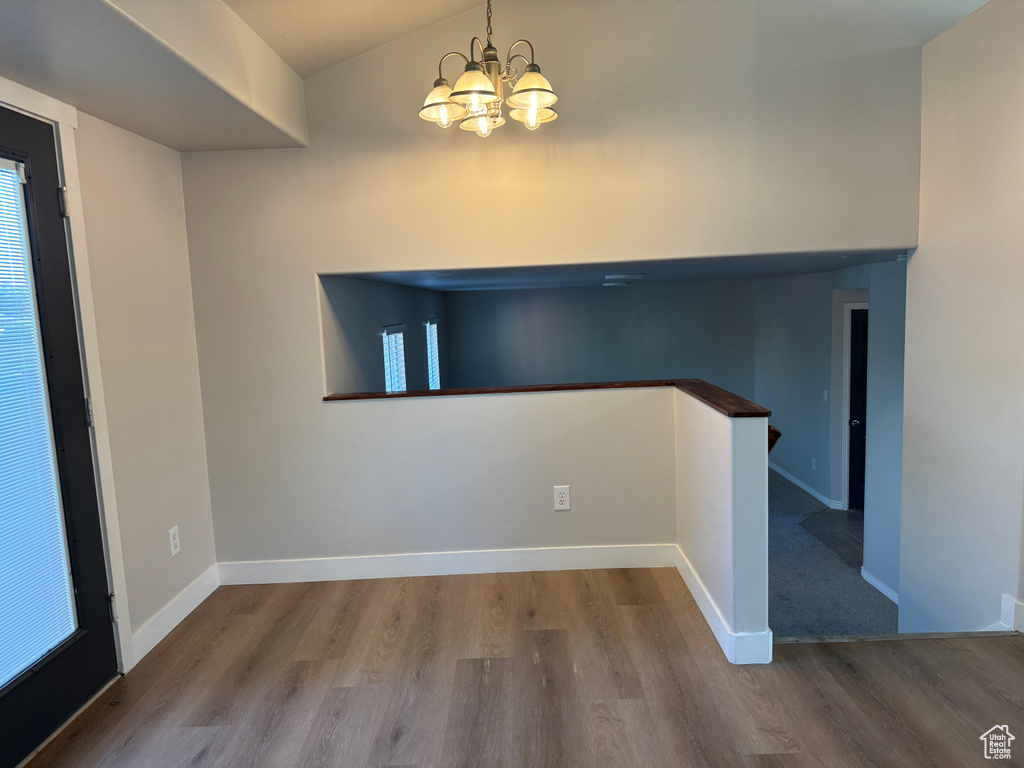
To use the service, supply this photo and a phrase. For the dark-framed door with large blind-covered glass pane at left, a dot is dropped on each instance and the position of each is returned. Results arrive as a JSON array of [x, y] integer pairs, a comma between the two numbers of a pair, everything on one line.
[[57, 639]]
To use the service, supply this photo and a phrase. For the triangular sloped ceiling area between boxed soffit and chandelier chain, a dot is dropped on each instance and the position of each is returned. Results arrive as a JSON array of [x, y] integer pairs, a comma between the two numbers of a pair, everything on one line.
[[313, 35]]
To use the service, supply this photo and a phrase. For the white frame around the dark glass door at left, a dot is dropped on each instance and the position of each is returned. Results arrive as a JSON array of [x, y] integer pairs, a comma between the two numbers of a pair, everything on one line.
[[65, 120]]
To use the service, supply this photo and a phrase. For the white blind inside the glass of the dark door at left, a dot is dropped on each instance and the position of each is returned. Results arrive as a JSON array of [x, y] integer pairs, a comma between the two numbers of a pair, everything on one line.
[[37, 613]]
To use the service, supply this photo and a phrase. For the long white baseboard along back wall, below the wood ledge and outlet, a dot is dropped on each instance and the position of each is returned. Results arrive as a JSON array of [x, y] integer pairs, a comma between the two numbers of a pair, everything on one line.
[[446, 564]]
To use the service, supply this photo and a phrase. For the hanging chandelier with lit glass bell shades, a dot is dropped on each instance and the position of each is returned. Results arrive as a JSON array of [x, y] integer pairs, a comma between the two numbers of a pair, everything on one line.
[[477, 101]]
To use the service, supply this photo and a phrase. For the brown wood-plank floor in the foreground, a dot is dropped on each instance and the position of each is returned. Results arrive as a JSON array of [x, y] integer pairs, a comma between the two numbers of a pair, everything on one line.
[[601, 668]]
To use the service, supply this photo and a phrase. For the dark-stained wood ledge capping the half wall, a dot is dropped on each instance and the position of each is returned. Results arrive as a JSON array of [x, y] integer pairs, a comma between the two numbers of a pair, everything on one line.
[[722, 401]]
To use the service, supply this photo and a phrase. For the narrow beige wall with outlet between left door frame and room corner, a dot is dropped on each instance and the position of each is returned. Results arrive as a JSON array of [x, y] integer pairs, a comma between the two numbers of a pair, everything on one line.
[[136, 227]]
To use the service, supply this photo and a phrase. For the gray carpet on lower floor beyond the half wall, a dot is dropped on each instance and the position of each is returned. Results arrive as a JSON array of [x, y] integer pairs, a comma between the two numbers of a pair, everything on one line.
[[812, 590]]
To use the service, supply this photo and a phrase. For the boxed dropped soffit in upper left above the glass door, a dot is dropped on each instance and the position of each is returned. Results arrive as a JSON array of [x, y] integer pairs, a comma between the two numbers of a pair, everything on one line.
[[98, 57]]
